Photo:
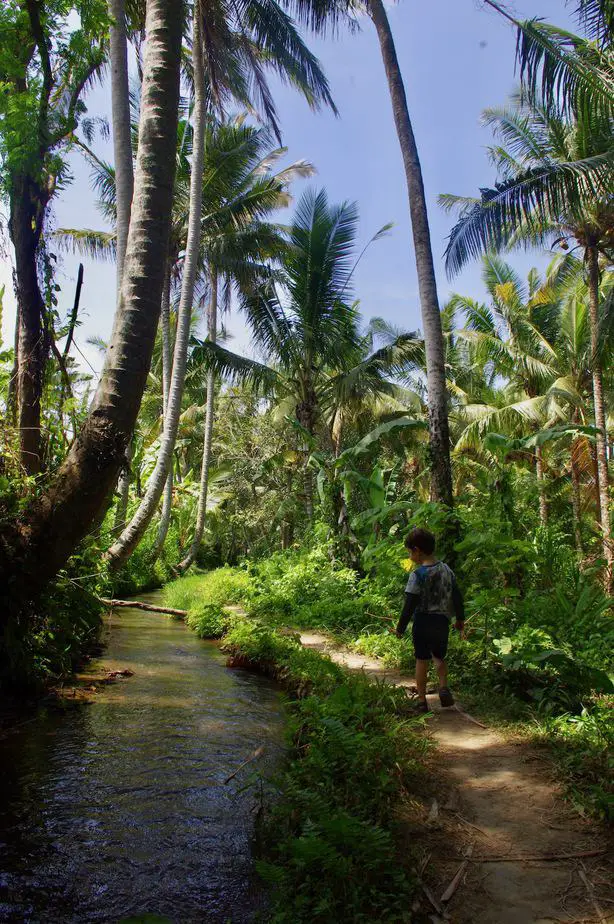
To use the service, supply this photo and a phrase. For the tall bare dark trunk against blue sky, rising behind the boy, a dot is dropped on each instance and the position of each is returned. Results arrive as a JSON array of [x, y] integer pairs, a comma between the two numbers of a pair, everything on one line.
[[431, 318]]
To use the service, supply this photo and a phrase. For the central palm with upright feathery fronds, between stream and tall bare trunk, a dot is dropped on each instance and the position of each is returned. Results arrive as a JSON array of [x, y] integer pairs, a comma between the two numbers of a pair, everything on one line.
[[307, 331]]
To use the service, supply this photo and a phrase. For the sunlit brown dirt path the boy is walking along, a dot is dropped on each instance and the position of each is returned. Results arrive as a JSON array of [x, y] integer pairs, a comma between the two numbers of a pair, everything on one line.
[[504, 803]]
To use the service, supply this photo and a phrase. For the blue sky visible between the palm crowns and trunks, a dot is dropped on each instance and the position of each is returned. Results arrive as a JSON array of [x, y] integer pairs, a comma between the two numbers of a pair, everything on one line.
[[457, 58]]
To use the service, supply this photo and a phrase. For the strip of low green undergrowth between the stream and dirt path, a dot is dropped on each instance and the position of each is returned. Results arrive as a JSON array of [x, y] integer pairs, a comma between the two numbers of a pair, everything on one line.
[[329, 846]]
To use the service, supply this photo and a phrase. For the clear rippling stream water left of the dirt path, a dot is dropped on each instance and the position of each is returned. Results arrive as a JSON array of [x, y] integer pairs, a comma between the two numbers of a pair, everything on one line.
[[118, 808]]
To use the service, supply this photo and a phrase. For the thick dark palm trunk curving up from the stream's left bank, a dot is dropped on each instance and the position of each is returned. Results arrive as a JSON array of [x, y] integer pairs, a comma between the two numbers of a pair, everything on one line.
[[55, 524]]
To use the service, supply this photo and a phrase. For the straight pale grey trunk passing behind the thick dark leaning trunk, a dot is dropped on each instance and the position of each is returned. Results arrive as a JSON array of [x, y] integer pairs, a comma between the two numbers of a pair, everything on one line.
[[124, 189]]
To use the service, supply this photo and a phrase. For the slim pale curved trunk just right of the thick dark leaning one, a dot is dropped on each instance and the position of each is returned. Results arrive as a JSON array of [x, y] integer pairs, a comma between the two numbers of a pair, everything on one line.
[[132, 535]]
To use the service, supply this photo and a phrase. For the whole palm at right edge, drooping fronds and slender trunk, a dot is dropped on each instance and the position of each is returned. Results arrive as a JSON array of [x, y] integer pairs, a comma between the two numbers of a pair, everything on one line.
[[556, 181]]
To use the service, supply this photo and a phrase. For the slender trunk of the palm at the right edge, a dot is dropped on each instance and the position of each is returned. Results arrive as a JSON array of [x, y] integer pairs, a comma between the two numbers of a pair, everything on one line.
[[592, 258]]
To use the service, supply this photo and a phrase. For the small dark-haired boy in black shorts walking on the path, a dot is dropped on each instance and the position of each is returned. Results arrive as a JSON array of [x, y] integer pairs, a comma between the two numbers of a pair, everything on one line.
[[432, 598]]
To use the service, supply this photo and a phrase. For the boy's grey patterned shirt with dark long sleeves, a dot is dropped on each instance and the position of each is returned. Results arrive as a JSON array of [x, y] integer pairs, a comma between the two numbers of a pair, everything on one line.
[[432, 589]]
